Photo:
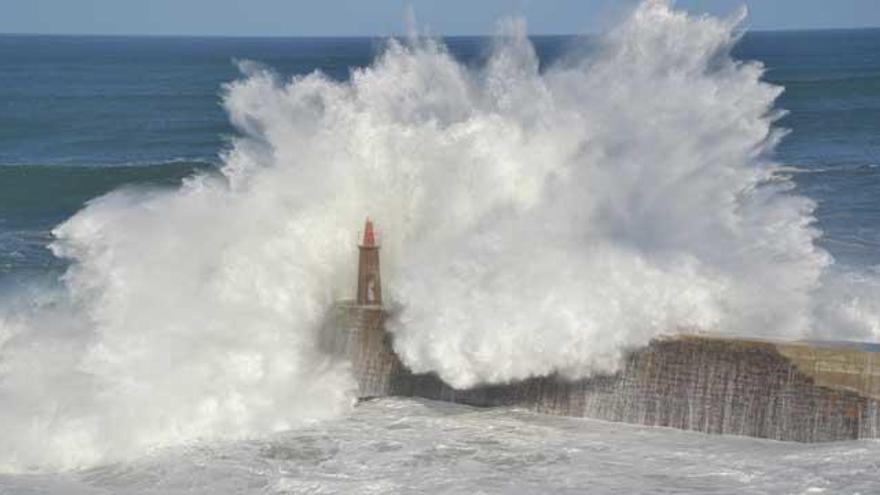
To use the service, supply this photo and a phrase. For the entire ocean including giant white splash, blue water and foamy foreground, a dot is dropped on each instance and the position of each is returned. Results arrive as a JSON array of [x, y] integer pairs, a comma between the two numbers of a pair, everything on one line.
[[172, 209]]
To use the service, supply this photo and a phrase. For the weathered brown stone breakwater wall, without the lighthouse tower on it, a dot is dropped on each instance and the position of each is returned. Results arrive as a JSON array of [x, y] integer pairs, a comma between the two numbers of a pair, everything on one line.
[[806, 392]]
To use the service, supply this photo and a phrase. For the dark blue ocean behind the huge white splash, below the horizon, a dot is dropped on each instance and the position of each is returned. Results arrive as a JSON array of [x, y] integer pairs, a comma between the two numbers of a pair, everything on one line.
[[80, 116]]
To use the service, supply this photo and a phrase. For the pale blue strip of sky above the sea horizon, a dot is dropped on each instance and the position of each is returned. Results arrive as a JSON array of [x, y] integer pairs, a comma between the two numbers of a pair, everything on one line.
[[385, 17]]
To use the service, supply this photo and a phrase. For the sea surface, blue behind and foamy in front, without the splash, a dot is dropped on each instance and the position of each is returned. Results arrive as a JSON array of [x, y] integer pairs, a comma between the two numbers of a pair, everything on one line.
[[80, 116]]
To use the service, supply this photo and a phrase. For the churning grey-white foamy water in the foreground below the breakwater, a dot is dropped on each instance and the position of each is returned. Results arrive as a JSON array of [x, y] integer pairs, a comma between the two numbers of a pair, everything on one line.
[[410, 446]]
